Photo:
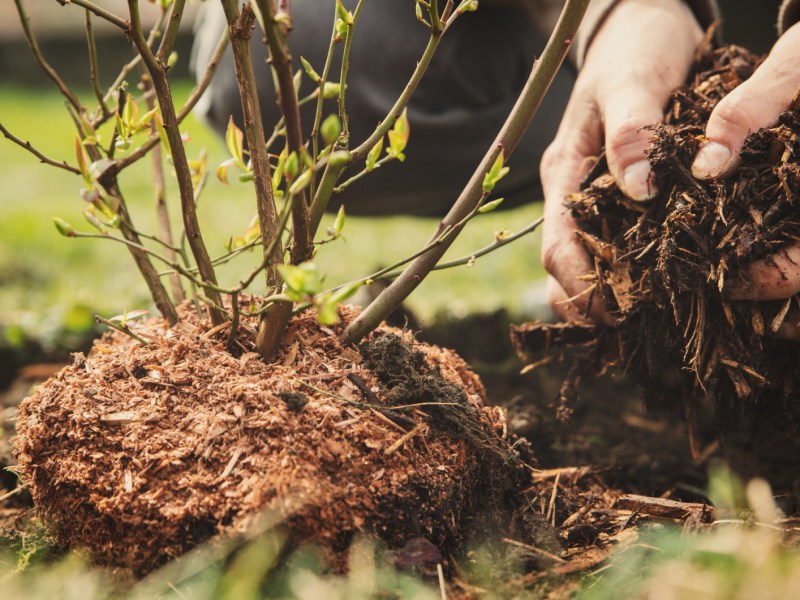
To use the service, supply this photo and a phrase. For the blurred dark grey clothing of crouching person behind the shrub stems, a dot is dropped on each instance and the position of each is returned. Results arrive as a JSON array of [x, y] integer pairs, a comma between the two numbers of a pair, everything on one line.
[[480, 67]]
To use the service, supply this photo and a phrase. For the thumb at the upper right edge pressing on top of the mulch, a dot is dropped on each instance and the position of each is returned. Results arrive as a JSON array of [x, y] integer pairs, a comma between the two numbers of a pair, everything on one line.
[[756, 103]]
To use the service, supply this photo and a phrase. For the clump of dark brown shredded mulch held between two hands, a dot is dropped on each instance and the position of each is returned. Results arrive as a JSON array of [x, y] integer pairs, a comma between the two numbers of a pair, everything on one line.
[[660, 267]]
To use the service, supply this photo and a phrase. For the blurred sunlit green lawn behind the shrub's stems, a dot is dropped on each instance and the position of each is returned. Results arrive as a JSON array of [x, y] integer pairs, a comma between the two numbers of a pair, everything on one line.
[[46, 278]]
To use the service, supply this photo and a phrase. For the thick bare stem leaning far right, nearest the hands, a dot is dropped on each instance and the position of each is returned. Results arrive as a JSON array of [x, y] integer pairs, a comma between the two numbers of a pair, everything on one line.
[[541, 76]]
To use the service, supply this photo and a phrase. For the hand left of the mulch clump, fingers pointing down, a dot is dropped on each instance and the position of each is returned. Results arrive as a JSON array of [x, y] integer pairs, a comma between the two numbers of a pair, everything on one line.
[[639, 55]]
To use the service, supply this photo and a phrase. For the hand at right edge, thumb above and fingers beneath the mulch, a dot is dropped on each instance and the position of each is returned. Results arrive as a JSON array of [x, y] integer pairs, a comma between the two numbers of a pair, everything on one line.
[[757, 103]]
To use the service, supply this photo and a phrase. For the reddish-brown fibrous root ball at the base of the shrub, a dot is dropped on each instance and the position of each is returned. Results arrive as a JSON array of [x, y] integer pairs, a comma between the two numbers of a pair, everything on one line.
[[140, 452]]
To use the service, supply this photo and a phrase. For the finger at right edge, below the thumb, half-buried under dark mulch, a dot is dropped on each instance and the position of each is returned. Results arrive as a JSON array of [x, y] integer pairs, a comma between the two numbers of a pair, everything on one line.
[[773, 278]]
